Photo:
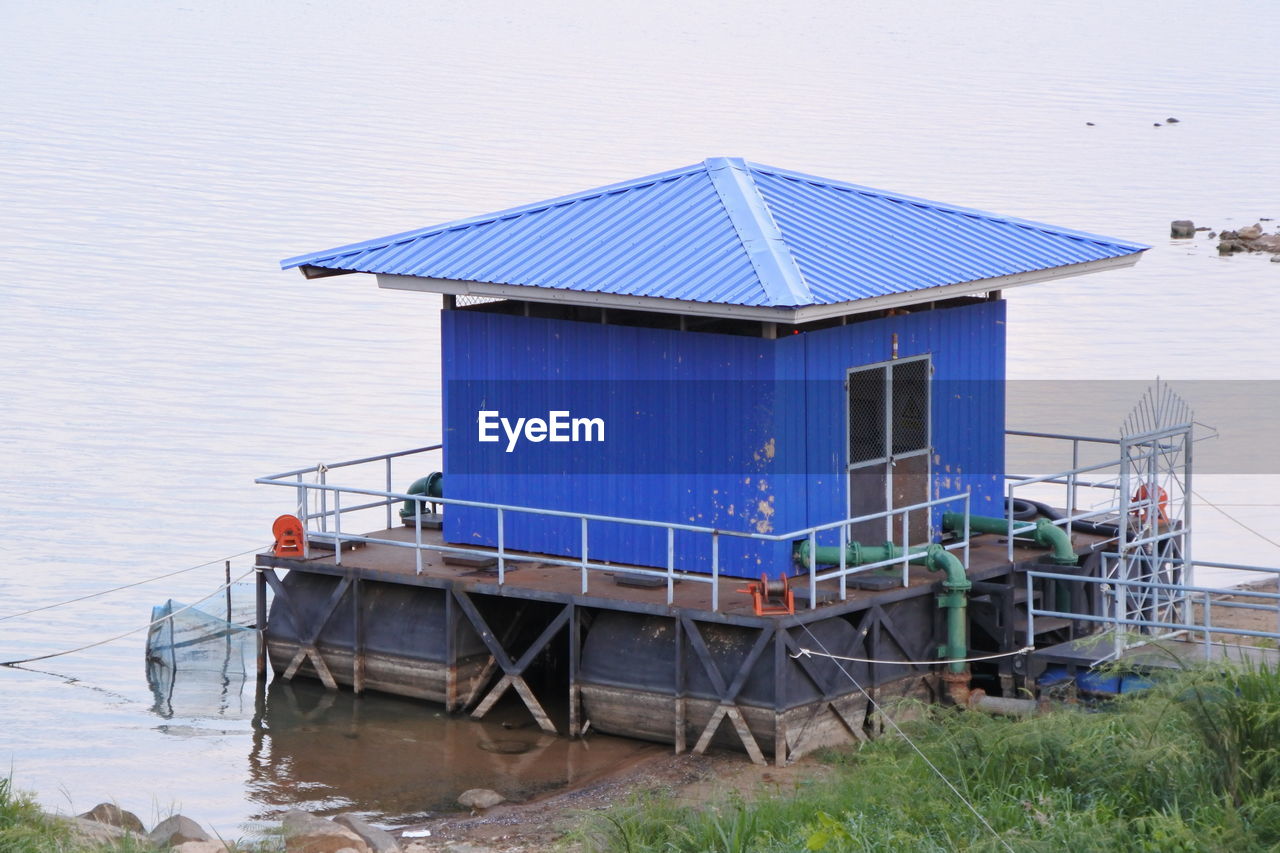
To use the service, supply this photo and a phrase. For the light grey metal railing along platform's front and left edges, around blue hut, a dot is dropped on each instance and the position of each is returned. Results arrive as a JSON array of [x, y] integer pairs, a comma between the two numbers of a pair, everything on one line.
[[326, 523]]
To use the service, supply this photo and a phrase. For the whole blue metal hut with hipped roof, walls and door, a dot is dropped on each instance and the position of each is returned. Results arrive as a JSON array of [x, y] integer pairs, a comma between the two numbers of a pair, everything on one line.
[[726, 345]]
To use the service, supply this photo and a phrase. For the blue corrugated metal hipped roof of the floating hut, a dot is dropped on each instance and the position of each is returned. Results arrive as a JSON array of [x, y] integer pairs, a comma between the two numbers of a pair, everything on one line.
[[729, 232]]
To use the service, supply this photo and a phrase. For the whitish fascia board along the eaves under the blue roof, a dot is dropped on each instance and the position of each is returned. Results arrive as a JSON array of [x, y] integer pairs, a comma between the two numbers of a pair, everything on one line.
[[789, 316]]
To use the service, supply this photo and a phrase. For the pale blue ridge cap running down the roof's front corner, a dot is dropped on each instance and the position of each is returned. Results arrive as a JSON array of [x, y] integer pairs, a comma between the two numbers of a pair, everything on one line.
[[775, 266]]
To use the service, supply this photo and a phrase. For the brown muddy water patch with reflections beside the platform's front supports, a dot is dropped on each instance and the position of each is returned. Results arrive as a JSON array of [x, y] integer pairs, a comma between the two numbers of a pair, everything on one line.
[[399, 761]]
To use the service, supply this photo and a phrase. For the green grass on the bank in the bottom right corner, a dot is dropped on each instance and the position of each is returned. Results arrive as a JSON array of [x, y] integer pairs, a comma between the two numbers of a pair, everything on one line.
[[1191, 765]]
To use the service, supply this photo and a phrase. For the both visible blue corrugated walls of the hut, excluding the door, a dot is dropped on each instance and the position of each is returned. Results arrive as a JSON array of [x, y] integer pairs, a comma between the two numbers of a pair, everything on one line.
[[733, 432]]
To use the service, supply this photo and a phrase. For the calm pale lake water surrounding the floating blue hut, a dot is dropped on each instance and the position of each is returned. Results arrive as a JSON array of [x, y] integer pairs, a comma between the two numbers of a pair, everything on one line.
[[158, 161]]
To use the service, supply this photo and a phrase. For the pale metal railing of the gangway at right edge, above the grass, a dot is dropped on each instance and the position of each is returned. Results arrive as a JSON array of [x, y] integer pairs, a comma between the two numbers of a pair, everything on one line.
[[1132, 631]]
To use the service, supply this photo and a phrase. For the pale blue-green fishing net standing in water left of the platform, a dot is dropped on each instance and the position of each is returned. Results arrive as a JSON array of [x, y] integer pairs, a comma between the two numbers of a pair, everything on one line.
[[198, 662]]
